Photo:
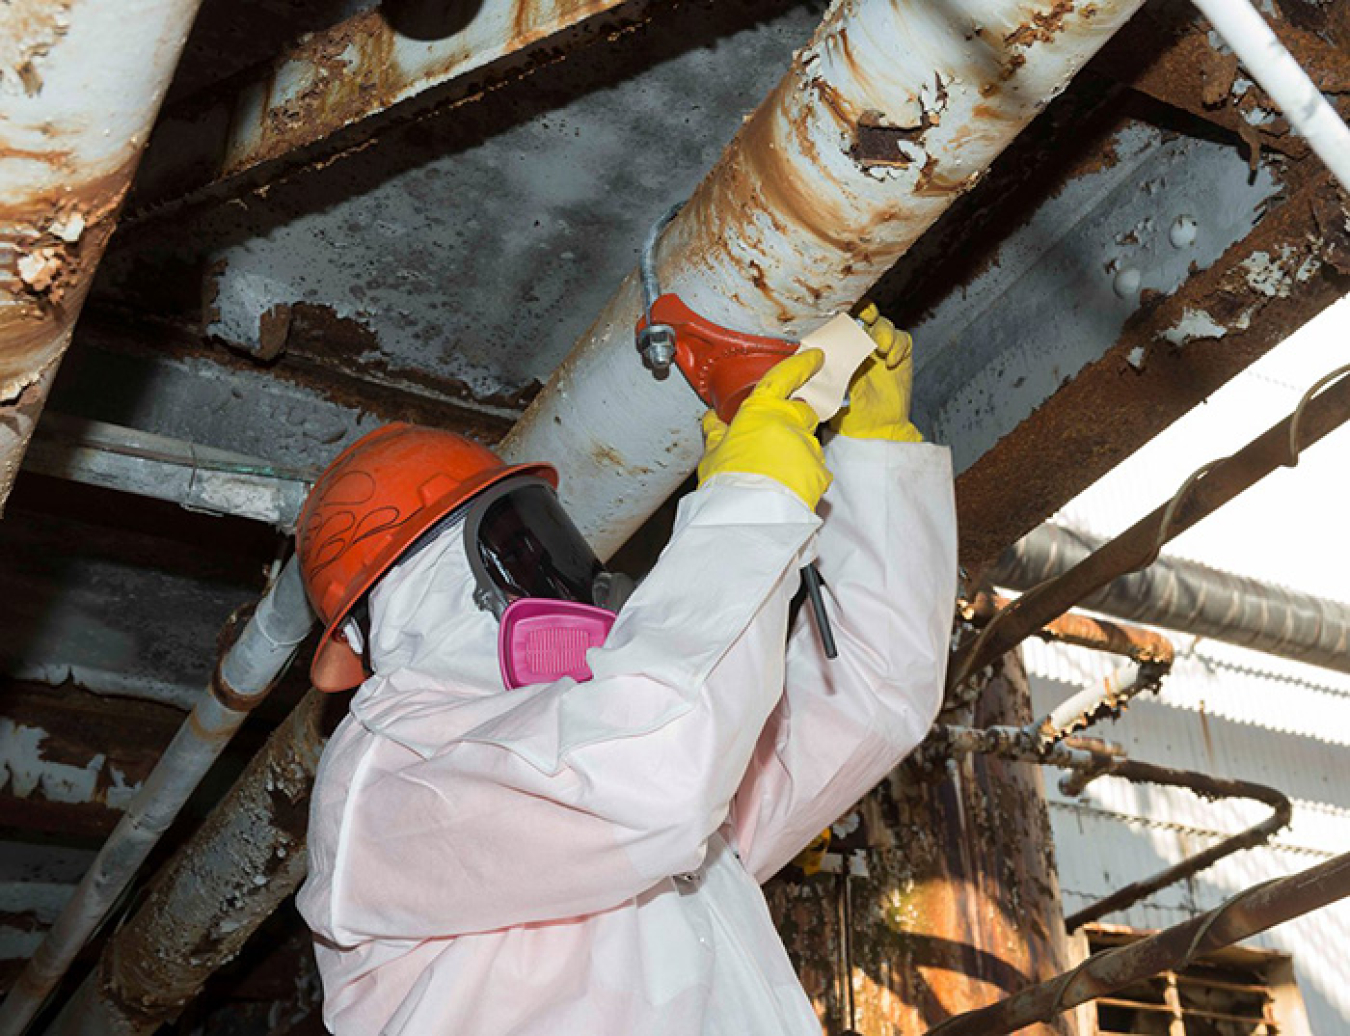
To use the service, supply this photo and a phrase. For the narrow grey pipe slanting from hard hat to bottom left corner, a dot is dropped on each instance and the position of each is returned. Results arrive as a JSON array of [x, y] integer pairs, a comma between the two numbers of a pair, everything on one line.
[[246, 673]]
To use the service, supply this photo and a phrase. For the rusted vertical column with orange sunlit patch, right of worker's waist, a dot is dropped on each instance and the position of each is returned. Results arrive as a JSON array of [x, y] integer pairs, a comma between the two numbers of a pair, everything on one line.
[[961, 895]]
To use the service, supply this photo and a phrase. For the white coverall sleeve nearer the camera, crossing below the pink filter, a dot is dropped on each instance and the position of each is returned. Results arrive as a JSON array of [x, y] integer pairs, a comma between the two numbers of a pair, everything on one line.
[[588, 795]]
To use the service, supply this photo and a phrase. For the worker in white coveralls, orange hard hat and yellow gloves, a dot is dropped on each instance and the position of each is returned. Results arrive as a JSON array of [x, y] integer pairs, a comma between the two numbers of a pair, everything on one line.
[[581, 856]]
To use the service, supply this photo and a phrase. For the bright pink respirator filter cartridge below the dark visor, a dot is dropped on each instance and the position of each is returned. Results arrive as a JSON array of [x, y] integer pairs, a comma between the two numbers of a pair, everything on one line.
[[543, 641]]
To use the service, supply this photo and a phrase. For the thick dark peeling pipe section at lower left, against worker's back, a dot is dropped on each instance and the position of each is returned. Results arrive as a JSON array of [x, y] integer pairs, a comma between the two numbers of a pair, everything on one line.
[[244, 862]]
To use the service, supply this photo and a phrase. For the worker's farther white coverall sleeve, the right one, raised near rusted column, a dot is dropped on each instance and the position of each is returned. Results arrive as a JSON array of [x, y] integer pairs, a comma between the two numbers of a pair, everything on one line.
[[888, 556]]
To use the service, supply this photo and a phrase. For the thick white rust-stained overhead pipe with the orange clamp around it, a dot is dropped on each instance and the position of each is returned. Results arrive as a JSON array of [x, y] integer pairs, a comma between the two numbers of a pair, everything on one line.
[[884, 120]]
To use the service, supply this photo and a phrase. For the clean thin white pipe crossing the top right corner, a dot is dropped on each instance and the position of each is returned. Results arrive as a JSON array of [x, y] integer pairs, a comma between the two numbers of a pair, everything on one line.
[[1280, 75]]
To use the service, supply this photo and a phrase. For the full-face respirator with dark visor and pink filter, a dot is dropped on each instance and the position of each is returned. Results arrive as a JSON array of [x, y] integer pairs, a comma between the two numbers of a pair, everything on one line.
[[539, 577]]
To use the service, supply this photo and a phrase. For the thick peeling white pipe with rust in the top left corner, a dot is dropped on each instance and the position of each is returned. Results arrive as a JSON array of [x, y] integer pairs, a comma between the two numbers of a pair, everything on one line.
[[88, 78]]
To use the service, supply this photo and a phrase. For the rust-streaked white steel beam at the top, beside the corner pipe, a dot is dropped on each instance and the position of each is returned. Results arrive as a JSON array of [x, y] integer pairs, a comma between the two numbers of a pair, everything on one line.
[[334, 79]]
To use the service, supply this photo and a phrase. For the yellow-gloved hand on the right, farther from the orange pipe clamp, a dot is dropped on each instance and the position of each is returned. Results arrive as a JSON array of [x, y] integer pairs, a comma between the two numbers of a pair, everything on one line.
[[880, 395]]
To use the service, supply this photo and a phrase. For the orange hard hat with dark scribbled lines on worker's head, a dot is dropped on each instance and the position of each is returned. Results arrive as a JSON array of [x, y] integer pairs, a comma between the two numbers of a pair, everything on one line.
[[368, 509]]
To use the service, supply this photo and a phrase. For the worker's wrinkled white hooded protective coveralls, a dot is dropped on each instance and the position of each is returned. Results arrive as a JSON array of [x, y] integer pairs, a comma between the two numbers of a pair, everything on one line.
[[585, 860]]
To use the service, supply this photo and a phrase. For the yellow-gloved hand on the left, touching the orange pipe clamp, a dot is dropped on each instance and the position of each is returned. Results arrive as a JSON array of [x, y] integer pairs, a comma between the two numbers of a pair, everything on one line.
[[772, 434]]
